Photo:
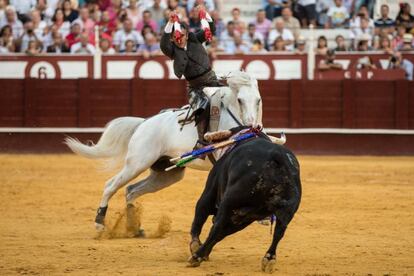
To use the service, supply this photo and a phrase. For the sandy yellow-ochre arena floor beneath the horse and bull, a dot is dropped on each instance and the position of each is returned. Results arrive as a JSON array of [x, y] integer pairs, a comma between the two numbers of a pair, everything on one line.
[[356, 218]]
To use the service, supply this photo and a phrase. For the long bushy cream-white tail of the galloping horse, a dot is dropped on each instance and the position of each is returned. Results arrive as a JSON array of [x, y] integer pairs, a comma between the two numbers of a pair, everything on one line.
[[113, 143]]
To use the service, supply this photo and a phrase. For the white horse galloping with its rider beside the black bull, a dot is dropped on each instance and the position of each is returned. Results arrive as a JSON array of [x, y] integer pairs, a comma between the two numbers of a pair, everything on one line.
[[145, 143]]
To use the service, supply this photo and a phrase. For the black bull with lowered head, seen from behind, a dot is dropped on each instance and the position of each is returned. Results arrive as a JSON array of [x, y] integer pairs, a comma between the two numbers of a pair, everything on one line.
[[255, 180]]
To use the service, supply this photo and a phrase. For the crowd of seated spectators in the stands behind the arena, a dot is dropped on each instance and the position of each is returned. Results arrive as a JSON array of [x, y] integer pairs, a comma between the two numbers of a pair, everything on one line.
[[132, 26]]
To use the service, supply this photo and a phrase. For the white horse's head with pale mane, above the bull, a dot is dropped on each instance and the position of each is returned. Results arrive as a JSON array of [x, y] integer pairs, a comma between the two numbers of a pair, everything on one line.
[[246, 91]]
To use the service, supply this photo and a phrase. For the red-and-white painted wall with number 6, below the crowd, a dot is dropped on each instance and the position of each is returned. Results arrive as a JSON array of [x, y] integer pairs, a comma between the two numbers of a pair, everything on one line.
[[270, 66]]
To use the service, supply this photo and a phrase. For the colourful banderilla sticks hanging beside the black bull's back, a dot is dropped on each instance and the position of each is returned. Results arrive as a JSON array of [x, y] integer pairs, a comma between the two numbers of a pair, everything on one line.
[[191, 155]]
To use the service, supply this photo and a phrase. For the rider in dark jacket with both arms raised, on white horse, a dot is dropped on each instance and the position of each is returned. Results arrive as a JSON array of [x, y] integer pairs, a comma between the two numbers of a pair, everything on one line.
[[192, 61]]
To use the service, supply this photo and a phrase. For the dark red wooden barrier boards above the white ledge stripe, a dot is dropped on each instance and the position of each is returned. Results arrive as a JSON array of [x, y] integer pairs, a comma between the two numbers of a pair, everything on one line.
[[287, 104]]
